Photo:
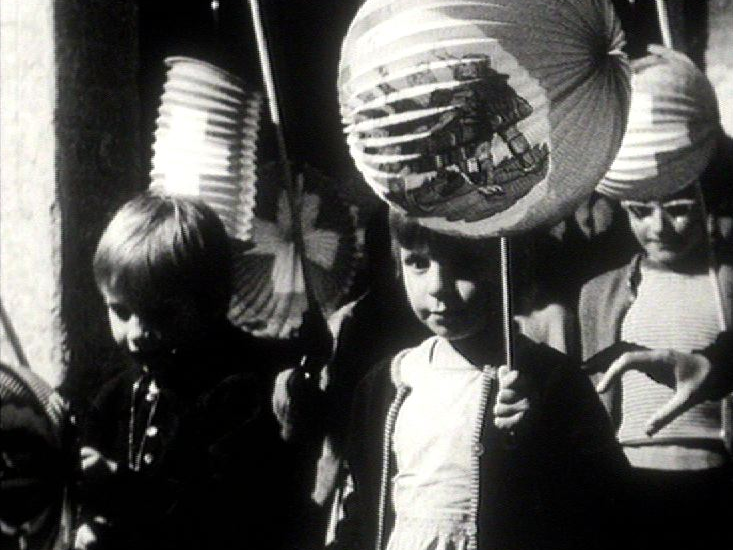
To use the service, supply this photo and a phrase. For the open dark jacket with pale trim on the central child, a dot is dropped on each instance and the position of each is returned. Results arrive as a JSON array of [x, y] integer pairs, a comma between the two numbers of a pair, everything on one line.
[[559, 485]]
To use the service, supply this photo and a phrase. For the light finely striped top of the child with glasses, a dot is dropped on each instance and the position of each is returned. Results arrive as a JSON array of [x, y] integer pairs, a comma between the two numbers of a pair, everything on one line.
[[675, 311]]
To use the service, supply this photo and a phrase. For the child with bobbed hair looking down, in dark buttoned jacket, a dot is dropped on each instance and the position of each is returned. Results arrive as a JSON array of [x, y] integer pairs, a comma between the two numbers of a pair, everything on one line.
[[176, 450]]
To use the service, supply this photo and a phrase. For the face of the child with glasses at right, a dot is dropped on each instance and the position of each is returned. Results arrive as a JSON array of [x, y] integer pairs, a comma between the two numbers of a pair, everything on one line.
[[669, 231]]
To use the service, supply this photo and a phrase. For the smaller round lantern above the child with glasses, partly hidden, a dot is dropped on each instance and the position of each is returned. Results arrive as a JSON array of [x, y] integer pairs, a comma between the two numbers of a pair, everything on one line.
[[672, 132]]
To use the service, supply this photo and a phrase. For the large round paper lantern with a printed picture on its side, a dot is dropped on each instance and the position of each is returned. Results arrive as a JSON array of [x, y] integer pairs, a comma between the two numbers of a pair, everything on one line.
[[483, 118]]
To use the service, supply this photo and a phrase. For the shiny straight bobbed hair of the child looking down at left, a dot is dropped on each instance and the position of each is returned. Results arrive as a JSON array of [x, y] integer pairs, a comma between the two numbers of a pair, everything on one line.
[[158, 247]]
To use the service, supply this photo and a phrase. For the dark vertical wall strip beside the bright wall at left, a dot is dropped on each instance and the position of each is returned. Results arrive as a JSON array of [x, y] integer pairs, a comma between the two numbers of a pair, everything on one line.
[[98, 164]]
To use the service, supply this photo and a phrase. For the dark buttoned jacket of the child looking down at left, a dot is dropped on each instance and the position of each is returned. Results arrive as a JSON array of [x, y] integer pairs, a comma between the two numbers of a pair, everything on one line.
[[214, 459]]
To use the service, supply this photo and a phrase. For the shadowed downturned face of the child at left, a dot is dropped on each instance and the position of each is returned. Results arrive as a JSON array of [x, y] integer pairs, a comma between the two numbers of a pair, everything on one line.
[[150, 336]]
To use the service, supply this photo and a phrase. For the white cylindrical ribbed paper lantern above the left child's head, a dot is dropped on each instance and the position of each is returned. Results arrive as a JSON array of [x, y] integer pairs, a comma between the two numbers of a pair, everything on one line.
[[206, 140]]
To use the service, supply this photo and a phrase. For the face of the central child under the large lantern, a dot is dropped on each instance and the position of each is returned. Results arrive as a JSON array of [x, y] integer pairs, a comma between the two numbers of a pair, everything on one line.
[[451, 289]]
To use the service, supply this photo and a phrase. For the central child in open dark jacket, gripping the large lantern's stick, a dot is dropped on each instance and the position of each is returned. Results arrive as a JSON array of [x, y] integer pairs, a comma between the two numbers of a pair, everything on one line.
[[450, 450]]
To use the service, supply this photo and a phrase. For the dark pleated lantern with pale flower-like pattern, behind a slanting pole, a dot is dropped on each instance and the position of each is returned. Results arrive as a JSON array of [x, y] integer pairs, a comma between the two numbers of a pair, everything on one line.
[[270, 296]]
